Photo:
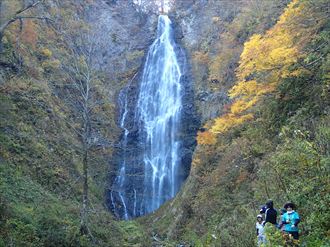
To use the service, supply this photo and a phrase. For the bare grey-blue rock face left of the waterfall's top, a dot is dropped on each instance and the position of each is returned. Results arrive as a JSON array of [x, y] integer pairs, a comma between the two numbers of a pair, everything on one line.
[[123, 35]]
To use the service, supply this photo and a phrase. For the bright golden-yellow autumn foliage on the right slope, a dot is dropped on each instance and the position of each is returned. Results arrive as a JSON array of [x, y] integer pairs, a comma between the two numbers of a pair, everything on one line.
[[266, 60]]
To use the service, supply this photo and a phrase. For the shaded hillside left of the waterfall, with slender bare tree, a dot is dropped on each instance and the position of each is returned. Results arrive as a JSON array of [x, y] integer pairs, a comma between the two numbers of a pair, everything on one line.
[[59, 76]]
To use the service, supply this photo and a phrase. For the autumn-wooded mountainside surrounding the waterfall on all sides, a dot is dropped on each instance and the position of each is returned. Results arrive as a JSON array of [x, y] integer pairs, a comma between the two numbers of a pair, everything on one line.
[[260, 72]]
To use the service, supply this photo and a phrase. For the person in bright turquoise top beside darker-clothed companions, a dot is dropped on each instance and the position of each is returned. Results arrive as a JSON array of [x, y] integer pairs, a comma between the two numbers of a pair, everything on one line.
[[291, 220]]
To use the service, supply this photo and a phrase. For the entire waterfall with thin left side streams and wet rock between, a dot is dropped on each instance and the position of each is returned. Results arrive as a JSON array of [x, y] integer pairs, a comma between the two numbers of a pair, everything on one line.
[[149, 165]]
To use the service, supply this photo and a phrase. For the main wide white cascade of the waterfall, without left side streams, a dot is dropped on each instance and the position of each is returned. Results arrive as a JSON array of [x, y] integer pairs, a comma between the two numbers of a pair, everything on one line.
[[158, 113]]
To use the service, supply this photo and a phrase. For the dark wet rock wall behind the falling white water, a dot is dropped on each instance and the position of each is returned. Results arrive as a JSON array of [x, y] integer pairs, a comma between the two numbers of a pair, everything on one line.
[[128, 196]]
